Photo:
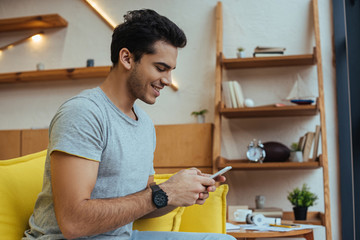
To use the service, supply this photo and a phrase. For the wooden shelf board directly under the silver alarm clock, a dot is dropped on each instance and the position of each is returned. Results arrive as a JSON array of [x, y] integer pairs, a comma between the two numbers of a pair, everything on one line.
[[246, 165]]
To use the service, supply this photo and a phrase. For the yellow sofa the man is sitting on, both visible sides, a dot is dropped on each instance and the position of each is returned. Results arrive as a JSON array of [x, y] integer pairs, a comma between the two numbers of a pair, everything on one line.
[[21, 181]]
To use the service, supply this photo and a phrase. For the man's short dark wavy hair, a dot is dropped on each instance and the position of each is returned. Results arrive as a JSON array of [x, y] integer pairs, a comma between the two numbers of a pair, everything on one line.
[[140, 30]]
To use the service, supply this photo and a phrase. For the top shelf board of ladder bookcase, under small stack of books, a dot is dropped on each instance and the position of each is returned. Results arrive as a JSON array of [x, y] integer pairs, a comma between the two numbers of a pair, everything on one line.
[[264, 62]]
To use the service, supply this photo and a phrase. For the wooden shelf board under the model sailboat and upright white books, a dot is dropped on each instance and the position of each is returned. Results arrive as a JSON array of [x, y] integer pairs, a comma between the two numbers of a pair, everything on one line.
[[270, 111]]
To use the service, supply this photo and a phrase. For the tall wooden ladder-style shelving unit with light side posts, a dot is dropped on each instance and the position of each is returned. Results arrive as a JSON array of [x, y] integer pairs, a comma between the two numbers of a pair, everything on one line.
[[221, 111]]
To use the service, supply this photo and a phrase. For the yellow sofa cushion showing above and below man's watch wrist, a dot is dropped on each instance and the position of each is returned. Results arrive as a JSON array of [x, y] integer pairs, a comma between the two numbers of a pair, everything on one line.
[[167, 222]]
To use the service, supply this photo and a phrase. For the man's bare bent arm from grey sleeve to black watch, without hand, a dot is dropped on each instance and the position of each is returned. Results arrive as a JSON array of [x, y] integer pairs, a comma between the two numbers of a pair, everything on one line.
[[73, 180]]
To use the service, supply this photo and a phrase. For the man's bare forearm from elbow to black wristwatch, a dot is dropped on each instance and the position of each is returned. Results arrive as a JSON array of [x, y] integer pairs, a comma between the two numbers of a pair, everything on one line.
[[95, 216]]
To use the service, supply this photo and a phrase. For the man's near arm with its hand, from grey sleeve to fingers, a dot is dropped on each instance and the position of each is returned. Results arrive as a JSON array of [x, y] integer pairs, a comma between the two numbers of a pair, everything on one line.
[[73, 179]]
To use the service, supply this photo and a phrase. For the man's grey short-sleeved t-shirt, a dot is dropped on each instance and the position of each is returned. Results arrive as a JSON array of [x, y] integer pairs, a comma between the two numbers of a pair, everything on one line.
[[92, 127]]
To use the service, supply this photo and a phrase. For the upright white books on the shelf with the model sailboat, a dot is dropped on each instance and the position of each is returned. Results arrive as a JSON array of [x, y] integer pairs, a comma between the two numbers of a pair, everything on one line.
[[232, 94]]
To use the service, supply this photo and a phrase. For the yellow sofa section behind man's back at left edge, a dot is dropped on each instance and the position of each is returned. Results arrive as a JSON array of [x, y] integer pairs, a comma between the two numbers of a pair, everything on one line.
[[20, 183]]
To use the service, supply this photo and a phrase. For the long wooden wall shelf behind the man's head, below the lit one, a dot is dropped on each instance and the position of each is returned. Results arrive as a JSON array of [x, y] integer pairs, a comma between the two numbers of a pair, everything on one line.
[[55, 74]]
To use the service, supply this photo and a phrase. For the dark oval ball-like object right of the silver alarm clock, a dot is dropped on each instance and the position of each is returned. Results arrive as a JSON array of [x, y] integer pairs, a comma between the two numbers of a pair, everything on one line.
[[276, 152]]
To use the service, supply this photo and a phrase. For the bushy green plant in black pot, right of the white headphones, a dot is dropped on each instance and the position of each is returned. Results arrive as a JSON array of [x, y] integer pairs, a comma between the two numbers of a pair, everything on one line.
[[301, 199]]
